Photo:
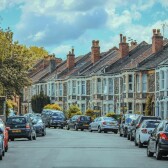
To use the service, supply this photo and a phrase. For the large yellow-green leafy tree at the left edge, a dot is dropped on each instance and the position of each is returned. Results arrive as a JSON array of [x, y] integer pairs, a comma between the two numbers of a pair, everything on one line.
[[15, 61]]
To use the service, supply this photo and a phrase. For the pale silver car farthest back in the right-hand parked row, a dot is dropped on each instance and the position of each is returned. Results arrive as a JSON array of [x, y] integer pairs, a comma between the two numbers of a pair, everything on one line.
[[125, 123]]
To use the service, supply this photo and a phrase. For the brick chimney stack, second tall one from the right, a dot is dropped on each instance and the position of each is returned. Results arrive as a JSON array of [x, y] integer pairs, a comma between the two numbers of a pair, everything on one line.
[[123, 46]]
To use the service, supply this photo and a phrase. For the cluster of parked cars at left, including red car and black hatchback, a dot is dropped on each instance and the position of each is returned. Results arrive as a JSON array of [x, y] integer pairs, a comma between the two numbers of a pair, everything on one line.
[[28, 126]]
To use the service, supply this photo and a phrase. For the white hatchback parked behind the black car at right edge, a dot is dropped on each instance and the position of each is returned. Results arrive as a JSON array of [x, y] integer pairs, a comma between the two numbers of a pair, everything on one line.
[[144, 131]]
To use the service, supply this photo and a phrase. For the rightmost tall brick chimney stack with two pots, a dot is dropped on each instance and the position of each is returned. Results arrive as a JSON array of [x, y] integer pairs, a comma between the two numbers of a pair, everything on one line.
[[157, 41]]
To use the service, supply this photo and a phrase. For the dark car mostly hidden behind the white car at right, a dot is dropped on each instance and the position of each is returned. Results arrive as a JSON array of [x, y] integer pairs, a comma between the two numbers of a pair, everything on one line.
[[137, 124]]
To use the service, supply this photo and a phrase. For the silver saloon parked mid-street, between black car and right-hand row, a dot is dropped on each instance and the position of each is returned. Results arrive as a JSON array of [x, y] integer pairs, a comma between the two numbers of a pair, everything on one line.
[[105, 124]]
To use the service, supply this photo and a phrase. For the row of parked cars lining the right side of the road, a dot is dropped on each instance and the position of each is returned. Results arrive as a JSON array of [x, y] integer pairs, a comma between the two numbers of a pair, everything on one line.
[[146, 130]]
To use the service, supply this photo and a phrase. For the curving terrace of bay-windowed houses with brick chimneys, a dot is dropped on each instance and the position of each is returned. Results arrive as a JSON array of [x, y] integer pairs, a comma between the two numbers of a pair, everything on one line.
[[119, 80]]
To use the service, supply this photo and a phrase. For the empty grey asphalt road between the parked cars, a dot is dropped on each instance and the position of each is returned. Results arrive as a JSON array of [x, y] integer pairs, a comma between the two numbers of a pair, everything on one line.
[[78, 149]]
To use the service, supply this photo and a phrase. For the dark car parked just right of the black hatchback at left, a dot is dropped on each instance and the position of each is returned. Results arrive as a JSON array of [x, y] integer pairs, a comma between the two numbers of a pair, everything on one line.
[[39, 126]]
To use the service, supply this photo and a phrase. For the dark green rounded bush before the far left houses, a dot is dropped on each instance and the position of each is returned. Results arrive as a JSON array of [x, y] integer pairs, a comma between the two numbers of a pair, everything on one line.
[[39, 101]]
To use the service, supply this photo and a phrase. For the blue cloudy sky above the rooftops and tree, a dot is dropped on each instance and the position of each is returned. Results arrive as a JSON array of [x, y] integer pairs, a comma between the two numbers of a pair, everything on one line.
[[59, 25]]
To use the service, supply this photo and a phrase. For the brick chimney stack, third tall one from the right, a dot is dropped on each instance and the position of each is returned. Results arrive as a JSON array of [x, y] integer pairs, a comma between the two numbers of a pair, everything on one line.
[[95, 55]]
